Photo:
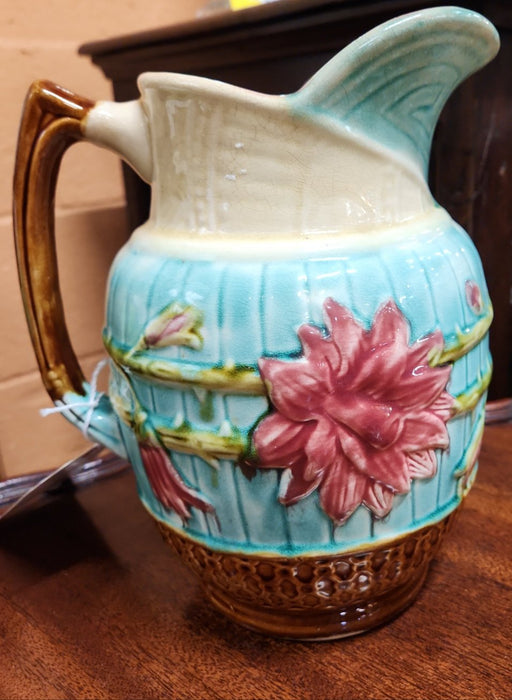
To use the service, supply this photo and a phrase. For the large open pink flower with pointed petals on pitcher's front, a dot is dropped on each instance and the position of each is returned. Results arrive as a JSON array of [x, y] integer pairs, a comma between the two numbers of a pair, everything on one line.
[[358, 416]]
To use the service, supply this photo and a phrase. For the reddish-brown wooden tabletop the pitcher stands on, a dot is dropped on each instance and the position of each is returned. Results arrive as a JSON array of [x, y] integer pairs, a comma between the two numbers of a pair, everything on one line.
[[93, 605]]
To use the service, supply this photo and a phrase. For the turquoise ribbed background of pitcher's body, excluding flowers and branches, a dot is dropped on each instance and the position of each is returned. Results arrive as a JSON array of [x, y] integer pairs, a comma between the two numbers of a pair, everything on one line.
[[253, 310]]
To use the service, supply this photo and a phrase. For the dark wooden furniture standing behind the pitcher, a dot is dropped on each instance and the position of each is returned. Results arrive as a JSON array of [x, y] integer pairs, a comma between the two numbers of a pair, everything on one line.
[[276, 47]]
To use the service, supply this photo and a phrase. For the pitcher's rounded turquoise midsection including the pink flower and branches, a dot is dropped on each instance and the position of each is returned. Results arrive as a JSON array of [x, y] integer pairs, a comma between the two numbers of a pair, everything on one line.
[[314, 334]]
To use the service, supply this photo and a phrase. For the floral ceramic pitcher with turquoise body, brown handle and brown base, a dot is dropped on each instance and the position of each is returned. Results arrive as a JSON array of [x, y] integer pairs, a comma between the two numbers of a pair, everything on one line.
[[297, 337]]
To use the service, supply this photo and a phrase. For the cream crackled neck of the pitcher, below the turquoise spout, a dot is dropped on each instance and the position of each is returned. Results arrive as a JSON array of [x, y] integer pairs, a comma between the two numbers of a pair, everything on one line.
[[224, 165]]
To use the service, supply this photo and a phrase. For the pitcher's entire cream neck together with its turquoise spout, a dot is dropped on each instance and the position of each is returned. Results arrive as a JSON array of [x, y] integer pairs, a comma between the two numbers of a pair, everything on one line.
[[347, 153]]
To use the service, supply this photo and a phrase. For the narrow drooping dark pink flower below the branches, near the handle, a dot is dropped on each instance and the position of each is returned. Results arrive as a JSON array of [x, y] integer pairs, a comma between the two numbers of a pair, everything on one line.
[[167, 485]]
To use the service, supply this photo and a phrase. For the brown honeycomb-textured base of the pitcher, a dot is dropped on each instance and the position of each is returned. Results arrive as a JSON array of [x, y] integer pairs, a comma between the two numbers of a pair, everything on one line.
[[314, 597]]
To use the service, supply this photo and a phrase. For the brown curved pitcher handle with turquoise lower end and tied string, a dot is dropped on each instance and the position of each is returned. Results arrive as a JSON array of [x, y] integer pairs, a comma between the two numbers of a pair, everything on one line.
[[53, 119]]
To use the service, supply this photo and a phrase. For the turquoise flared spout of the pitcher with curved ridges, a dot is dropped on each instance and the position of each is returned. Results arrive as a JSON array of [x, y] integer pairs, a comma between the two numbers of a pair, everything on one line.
[[392, 83]]
